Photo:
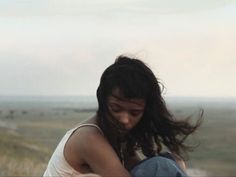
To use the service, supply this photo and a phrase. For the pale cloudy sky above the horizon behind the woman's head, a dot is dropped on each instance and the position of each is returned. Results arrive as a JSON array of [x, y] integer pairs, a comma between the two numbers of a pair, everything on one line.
[[61, 47]]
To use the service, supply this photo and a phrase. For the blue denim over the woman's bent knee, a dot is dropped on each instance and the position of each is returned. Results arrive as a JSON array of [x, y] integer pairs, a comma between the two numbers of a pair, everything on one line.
[[157, 167]]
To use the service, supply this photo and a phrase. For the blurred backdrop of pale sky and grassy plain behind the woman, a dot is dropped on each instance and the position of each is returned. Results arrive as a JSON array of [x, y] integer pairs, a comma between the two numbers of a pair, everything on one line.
[[52, 54]]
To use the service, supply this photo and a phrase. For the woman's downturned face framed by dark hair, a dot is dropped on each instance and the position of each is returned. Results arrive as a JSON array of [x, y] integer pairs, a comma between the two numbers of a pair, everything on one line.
[[124, 114]]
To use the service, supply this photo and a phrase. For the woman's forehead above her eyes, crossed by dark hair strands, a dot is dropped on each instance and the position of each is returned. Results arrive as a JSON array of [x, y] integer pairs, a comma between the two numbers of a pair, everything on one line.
[[117, 97]]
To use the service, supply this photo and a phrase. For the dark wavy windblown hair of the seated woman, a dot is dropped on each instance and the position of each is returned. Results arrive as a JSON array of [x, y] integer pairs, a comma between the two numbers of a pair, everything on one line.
[[157, 126]]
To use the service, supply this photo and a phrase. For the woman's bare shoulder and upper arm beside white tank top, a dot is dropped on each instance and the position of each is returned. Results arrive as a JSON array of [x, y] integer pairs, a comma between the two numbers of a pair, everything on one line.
[[92, 149]]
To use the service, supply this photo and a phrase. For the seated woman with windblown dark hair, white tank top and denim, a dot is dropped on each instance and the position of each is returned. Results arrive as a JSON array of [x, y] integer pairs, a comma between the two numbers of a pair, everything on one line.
[[131, 119]]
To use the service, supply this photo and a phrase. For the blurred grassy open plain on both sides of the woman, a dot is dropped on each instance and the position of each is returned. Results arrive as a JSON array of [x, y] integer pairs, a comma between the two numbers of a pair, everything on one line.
[[30, 132]]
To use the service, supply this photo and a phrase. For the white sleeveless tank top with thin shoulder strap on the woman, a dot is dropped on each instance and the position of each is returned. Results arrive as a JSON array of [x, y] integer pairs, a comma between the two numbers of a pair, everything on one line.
[[57, 165]]
